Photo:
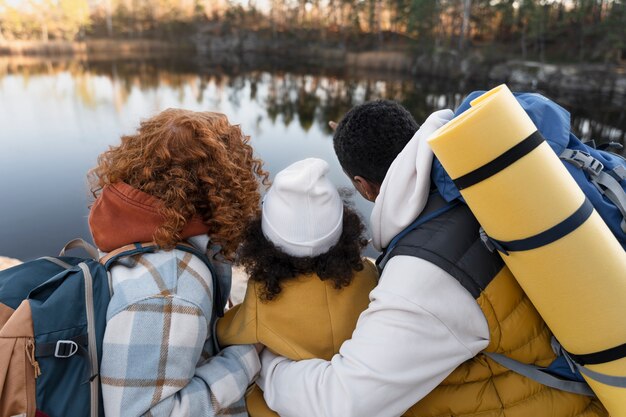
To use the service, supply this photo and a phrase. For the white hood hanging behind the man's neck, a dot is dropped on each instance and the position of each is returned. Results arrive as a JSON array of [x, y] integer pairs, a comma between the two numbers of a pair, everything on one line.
[[405, 189]]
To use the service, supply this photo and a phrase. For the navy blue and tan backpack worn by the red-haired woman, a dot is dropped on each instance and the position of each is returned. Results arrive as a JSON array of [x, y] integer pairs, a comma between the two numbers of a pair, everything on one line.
[[52, 322]]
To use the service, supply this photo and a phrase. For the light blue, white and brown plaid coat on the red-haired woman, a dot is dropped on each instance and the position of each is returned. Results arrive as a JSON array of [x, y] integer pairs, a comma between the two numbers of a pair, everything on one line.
[[159, 357]]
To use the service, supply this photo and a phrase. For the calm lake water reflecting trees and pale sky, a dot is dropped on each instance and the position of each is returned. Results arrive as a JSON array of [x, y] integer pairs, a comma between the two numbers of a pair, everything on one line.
[[57, 116]]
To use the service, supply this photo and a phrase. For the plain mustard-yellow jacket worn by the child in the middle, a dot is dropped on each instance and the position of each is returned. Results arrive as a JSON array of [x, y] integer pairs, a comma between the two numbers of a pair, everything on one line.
[[308, 319]]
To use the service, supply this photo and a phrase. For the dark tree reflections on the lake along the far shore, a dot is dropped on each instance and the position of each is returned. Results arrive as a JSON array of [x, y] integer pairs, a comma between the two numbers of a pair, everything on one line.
[[305, 97]]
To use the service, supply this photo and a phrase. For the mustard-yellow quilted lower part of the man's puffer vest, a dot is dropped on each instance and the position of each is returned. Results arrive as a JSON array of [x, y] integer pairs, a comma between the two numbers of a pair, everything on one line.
[[480, 387]]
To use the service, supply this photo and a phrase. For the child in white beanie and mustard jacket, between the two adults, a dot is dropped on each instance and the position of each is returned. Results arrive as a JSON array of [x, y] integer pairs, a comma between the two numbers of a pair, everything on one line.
[[308, 282]]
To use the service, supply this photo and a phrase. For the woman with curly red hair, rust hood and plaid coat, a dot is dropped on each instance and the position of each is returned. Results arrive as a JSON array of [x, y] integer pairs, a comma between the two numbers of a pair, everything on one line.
[[188, 176]]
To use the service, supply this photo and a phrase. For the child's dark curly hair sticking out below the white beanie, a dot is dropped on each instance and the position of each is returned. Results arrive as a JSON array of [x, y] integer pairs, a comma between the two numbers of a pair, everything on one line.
[[264, 262]]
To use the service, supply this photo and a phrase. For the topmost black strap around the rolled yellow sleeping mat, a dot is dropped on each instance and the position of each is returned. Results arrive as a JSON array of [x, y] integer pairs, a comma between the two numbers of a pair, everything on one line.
[[501, 162]]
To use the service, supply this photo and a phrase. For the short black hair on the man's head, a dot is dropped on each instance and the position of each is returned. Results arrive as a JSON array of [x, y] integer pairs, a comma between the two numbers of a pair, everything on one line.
[[370, 136]]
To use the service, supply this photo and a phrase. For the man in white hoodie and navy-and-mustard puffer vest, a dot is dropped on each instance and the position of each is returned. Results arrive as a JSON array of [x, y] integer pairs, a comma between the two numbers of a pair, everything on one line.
[[441, 300]]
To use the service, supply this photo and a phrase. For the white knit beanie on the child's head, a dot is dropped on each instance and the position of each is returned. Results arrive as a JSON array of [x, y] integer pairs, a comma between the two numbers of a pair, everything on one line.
[[302, 211]]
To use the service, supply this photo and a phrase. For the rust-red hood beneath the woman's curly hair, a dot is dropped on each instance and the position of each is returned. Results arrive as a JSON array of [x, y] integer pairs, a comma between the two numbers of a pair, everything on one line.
[[122, 215]]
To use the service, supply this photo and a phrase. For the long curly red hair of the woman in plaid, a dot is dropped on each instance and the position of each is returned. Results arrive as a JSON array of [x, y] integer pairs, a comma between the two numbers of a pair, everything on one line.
[[197, 164]]
